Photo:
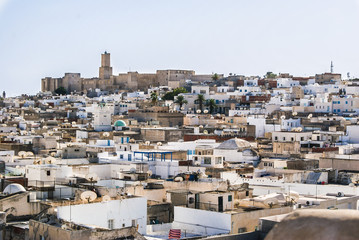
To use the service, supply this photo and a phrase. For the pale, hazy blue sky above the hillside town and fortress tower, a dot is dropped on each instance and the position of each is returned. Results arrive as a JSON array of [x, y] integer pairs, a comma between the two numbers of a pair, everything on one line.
[[47, 38]]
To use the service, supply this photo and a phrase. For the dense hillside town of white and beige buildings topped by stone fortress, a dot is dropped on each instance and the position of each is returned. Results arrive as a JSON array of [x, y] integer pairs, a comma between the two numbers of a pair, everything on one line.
[[177, 155]]
